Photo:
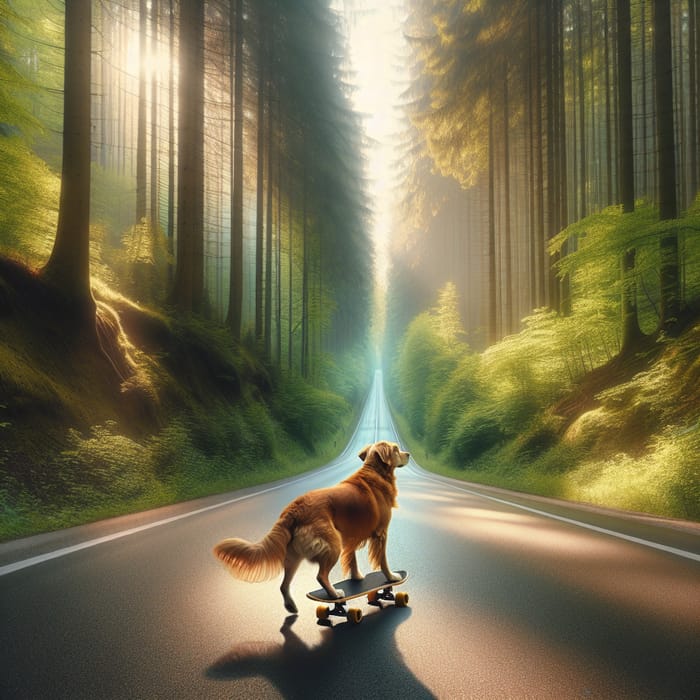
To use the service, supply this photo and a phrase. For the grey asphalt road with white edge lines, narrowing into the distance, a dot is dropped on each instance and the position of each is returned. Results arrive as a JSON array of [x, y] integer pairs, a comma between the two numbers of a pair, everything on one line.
[[510, 597]]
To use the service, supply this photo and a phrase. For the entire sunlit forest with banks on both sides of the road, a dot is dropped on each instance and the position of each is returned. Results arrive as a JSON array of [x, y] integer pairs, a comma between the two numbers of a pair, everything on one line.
[[189, 297]]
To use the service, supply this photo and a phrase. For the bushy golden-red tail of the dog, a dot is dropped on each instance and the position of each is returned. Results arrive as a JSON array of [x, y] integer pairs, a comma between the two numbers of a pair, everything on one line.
[[257, 561]]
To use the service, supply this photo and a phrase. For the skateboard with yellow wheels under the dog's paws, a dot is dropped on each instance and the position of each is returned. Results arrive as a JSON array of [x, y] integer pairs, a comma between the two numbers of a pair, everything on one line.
[[373, 585]]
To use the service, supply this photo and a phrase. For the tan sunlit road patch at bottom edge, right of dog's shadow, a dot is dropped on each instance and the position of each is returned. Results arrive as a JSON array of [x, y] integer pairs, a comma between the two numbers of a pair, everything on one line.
[[487, 653]]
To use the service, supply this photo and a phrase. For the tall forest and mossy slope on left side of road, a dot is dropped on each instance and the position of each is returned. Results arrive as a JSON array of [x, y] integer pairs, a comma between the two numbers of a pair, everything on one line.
[[184, 286]]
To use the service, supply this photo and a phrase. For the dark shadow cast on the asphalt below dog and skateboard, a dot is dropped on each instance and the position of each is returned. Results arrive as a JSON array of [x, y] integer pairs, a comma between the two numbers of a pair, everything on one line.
[[351, 661]]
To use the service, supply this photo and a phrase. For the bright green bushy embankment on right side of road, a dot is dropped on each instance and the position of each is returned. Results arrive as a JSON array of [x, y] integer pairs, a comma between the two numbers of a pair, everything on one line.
[[622, 434]]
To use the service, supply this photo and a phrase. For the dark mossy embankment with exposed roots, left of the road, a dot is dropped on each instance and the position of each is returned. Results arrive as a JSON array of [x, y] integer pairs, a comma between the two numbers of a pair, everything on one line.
[[148, 409]]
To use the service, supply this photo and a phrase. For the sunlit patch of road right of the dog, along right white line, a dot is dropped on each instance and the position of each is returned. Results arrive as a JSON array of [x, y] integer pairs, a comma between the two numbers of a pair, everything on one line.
[[593, 569]]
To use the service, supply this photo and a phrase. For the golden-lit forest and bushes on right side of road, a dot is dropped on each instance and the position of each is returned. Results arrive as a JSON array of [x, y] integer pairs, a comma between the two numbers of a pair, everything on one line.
[[549, 211]]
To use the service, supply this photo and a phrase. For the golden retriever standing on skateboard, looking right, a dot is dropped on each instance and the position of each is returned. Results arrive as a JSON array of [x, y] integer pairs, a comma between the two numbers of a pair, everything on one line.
[[324, 524]]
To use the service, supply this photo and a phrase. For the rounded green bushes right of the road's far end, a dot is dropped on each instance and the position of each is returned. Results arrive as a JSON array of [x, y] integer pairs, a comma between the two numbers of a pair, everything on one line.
[[463, 403]]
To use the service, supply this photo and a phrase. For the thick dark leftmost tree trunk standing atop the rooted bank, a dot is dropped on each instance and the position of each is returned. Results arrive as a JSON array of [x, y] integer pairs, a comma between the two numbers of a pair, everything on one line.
[[68, 267]]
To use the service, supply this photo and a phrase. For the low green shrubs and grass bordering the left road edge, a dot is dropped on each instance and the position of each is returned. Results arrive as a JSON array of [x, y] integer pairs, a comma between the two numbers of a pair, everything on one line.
[[106, 473]]
